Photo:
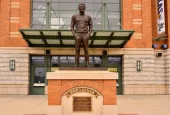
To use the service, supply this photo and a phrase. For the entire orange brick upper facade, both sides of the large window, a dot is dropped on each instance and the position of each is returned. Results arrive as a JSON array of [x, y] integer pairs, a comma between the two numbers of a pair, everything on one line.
[[136, 15]]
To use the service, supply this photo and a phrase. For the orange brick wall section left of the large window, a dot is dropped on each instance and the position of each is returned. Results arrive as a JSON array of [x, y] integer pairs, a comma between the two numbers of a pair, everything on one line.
[[15, 14]]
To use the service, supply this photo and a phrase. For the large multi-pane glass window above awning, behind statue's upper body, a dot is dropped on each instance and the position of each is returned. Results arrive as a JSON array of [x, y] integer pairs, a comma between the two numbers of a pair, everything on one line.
[[62, 10]]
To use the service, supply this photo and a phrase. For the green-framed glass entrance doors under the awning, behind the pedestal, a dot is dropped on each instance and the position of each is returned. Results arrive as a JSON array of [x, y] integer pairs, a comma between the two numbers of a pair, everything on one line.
[[41, 64]]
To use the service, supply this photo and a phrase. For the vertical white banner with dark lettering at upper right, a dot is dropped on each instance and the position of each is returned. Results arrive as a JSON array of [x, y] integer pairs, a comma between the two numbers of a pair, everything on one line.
[[161, 16]]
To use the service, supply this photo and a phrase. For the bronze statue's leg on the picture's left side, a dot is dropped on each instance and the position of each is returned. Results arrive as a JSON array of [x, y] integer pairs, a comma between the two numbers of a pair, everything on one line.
[[77, 46]]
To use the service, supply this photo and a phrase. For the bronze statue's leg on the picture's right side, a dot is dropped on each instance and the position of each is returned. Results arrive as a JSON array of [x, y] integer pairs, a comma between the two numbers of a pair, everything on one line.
[[85, 46]]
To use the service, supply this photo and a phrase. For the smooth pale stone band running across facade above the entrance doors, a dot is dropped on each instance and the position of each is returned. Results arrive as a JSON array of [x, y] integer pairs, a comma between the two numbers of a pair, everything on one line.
[[71, 51]]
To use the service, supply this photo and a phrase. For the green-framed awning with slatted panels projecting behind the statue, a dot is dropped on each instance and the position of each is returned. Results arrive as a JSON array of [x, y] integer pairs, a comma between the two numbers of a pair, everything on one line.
[[64, 38]]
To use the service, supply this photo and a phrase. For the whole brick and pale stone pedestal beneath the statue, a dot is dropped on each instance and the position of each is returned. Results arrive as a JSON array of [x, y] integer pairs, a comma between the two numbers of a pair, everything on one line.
[[82, 92]]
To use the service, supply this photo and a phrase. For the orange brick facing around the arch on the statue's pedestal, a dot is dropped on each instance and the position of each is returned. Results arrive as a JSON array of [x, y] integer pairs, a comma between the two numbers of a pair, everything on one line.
[[56, 88]]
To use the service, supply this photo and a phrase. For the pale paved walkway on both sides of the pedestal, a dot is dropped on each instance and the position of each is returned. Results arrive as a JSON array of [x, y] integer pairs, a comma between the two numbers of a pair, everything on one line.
[[140, 104]]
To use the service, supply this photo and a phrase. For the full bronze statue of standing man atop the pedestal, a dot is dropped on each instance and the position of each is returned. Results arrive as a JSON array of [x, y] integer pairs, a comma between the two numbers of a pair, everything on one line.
[[83, 28]]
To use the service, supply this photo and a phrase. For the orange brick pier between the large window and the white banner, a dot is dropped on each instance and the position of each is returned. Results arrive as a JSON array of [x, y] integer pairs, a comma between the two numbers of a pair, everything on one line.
[[137, 16]]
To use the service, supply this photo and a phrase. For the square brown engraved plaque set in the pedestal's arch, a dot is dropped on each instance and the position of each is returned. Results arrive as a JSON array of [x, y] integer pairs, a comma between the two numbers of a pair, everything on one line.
[[81, 103]]
